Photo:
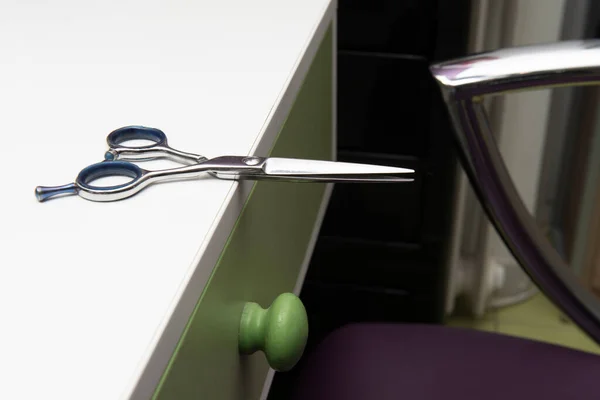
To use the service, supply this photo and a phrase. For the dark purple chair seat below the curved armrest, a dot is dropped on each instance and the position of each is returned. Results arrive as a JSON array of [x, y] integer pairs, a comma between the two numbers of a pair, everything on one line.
[[423, 362]]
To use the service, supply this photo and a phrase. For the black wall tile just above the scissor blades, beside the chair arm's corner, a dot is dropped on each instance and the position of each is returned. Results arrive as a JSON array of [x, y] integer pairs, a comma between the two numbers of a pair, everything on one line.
[[383, 104]]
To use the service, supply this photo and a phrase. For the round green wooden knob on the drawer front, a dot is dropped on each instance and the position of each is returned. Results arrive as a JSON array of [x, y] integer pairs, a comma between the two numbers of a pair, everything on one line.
[[279, 331]]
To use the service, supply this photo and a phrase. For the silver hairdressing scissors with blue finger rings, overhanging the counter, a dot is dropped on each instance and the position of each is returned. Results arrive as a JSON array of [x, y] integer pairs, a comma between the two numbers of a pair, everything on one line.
[[117, 163]]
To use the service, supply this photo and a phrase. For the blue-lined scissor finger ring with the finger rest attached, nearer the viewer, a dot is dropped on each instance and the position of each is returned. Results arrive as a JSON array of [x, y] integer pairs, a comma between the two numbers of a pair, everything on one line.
[[105, 169]]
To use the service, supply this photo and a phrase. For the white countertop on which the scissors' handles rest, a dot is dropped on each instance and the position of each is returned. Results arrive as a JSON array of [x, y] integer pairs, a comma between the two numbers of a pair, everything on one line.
[[89, 290]]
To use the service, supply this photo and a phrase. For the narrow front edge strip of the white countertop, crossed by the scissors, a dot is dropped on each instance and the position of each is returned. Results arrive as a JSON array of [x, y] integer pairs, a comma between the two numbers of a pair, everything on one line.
[[151, 369]]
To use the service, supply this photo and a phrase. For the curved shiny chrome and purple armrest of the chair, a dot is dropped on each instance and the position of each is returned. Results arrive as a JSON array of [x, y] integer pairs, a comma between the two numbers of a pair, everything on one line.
[[463, 82]]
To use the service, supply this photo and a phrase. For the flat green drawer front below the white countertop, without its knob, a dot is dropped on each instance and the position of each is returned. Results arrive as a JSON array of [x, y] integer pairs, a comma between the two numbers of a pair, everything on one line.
[[261, 259]]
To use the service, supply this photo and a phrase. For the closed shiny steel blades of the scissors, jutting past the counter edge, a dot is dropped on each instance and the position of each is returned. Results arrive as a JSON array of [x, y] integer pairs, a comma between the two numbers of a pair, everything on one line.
[[334, 171]]
